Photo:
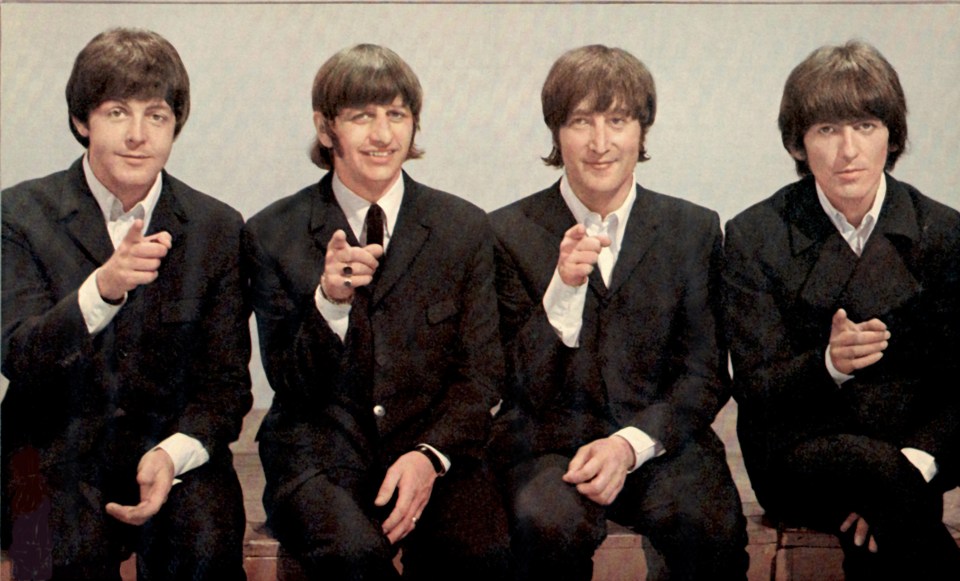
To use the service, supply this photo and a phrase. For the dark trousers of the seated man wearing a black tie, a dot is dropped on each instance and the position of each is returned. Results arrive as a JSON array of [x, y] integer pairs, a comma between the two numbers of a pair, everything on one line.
[[331, 524]]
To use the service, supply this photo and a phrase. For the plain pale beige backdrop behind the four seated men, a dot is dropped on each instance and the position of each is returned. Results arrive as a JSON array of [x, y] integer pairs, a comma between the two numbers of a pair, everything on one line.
[[719, 69]]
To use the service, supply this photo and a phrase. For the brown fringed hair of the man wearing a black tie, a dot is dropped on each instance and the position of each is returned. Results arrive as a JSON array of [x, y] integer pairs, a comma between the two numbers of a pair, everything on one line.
[[358, 76]]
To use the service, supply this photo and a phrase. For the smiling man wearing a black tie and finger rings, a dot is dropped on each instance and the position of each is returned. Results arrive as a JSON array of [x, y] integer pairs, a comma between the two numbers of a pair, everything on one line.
[[378, 331]]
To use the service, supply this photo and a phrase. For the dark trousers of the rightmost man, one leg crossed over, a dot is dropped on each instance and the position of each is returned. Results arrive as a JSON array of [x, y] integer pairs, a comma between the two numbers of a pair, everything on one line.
[[821, 481]]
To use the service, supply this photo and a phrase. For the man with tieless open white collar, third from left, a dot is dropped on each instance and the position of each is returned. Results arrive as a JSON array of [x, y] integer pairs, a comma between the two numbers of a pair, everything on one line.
[[609, 305]]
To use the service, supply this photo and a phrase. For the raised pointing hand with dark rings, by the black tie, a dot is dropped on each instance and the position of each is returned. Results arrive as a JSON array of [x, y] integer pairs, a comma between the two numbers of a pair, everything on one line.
[[347, 267]]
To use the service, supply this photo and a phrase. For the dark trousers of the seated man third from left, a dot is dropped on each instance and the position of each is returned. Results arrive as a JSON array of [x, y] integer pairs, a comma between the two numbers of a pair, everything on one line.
[[684, 502]]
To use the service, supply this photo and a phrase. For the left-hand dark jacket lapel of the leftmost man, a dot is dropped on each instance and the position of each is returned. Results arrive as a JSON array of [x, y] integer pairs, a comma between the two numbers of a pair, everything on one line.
[[82, 218]]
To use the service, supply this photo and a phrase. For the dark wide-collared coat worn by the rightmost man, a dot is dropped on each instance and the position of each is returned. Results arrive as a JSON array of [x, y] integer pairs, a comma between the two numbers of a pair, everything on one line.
[[788, 270]]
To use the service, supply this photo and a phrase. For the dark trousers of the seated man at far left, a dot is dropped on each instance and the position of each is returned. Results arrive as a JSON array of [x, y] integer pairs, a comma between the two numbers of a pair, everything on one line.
[[198, 533]]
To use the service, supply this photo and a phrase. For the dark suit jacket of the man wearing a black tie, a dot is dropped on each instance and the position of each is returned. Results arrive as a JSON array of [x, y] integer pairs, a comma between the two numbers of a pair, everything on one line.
[[436, 361]]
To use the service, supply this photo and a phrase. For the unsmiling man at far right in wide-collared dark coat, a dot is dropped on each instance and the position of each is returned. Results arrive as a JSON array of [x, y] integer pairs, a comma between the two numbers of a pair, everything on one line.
[[842, 307]]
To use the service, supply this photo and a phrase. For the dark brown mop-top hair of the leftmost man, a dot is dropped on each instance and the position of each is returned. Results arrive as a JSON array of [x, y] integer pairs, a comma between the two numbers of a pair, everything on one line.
[[127, 63]]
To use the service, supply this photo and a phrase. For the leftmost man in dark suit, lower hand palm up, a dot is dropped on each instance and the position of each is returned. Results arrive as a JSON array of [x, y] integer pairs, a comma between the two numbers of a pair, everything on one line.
[[125, 338]]
